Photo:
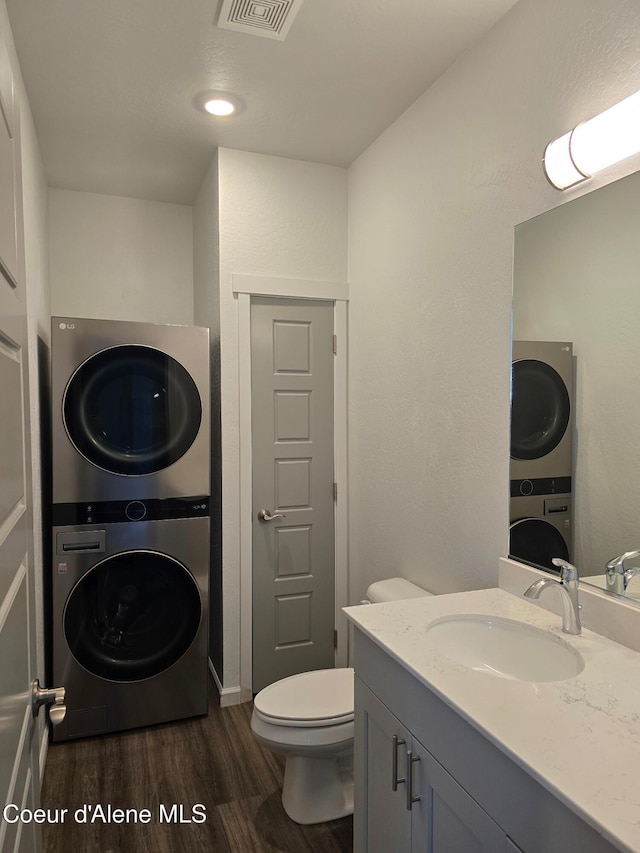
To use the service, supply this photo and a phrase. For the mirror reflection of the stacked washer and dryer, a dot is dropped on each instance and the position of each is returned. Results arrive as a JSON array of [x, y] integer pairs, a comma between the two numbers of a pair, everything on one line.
[[541, 466]]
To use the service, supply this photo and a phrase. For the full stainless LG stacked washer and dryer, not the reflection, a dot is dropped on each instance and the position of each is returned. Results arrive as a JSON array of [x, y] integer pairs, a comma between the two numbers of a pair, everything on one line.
[[130, 514]]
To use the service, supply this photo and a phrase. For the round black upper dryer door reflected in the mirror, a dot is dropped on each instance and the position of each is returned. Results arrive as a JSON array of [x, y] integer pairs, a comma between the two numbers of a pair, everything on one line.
[[540, 409]]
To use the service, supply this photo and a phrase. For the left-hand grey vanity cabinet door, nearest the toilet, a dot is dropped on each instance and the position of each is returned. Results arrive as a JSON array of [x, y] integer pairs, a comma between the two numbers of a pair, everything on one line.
[[382, 822]]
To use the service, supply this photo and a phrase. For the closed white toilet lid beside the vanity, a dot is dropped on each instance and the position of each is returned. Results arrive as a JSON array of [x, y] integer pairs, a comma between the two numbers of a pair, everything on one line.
[[323, 697]]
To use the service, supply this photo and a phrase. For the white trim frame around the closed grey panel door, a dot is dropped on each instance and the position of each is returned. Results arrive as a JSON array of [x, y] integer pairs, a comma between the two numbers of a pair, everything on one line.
[[244, 287]]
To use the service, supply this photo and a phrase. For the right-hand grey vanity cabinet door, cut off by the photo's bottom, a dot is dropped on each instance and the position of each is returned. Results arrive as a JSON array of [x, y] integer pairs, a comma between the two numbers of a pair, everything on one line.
[[448, 819]]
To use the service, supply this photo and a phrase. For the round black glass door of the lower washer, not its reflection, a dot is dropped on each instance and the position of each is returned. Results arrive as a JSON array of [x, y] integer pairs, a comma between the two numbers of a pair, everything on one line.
[[132, 616]]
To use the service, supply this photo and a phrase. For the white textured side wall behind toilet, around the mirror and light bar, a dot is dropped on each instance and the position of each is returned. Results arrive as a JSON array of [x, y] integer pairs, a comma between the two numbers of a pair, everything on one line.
[[432, 205]]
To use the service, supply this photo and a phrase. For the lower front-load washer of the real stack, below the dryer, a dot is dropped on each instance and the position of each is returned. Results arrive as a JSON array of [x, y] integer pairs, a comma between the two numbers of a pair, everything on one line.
[[130, 615]]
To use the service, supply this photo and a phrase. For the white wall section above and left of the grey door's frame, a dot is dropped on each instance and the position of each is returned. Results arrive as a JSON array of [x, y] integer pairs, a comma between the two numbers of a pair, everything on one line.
[[278, 217]]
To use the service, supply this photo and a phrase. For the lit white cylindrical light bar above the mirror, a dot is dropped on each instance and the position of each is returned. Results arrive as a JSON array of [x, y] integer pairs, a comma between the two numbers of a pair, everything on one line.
[[595, 144]]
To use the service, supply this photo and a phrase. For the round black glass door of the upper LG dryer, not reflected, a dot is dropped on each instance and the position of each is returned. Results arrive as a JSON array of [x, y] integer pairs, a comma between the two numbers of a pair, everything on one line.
[[132, 410]]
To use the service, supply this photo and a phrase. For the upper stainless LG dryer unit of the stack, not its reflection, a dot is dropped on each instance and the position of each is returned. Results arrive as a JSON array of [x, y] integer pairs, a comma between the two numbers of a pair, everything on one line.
[[130, 411]]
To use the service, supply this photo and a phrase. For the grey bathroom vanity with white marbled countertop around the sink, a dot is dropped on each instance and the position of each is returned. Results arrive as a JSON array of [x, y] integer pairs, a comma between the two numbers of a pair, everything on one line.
[[452, 759]]
